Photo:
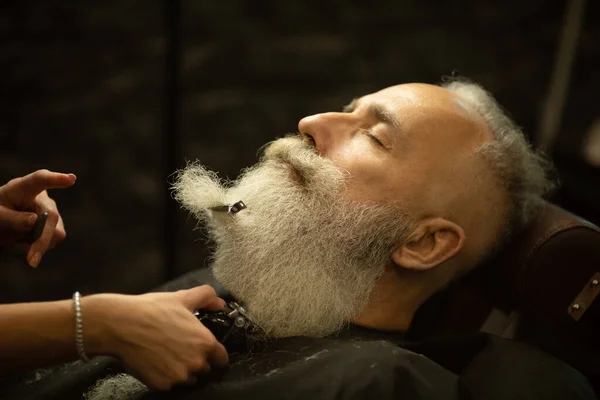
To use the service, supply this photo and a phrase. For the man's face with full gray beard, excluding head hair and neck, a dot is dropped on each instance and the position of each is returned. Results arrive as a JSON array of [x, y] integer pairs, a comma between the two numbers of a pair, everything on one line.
[[327, 213]]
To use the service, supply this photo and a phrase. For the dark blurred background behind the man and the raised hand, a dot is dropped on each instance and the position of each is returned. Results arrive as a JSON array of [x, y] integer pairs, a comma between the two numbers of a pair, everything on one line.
[[91, 88]]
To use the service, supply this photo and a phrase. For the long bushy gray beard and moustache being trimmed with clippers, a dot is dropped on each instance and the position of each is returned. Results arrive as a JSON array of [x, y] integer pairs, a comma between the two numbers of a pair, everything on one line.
[[302, 257]]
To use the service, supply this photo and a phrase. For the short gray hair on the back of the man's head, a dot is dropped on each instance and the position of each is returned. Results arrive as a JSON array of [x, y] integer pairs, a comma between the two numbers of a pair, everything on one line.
[[521, 171]]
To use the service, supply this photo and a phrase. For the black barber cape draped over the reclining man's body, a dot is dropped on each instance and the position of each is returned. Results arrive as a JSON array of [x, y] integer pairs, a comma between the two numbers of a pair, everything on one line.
[[358, 363]]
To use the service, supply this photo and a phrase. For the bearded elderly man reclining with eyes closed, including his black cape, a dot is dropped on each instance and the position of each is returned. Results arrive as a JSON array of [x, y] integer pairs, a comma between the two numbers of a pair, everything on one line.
[[350, 227]]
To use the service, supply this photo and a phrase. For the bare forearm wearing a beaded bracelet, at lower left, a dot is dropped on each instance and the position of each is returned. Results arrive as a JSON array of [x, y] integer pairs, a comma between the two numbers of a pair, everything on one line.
[[33, 335]]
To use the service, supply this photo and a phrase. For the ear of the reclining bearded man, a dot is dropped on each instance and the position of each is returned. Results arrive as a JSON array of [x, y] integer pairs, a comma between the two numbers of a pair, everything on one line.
[[433, 241]]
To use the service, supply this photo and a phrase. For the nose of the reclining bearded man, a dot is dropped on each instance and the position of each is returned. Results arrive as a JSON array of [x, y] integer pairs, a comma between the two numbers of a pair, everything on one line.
[[328, 130]]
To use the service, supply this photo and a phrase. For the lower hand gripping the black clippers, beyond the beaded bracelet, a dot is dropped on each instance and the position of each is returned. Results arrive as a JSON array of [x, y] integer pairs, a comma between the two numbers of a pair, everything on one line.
[[156, 335]]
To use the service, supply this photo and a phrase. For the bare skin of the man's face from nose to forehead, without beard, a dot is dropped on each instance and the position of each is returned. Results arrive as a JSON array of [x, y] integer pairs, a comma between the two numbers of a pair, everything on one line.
[[408, 143]]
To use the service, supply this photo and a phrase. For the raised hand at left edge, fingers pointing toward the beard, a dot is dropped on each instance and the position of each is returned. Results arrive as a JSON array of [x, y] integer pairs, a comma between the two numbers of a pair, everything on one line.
[[21, 200]]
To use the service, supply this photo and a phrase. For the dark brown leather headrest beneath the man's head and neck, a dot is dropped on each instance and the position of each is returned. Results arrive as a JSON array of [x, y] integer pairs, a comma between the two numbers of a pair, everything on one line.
[[539, 273]]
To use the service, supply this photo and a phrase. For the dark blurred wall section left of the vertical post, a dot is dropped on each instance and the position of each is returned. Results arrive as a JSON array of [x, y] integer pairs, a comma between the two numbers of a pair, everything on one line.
[[82, 87]]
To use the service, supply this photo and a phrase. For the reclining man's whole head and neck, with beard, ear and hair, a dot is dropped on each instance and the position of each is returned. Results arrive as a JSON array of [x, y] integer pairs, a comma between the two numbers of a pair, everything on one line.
[[370, 211]]
